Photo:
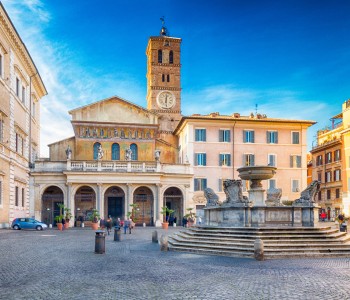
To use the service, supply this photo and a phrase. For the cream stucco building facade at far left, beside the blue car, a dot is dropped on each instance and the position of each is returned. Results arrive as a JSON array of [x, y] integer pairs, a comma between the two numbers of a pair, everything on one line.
[[21, 89]]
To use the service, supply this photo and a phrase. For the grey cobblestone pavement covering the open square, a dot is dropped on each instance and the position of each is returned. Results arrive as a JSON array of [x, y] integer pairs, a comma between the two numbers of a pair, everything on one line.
[[62, 265]]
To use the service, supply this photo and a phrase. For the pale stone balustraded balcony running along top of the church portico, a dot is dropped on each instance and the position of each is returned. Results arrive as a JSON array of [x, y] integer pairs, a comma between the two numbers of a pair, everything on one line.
[[111, 166]]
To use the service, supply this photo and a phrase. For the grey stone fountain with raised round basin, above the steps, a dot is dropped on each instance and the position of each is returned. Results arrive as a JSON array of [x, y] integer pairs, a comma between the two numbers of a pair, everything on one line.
[[256, 211]]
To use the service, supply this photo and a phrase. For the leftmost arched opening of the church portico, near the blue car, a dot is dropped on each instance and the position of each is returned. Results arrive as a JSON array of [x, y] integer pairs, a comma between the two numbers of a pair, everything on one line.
[[52, 196]]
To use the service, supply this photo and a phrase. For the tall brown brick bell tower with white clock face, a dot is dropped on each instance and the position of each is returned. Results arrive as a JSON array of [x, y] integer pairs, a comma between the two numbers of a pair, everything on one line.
[[163, 79]]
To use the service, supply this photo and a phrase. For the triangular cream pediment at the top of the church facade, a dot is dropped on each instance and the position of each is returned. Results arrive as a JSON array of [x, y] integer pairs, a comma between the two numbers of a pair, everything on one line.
[[114, 110]]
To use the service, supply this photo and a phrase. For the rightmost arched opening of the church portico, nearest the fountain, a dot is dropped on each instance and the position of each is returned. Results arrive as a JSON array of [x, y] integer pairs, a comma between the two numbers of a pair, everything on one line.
[[173, 199]]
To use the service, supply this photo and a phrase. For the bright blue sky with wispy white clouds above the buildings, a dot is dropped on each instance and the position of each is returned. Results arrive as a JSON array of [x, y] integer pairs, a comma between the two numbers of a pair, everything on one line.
[[290, 58]]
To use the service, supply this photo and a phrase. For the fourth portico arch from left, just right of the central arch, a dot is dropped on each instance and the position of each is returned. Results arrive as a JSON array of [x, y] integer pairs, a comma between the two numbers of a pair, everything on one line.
[[143, 198]]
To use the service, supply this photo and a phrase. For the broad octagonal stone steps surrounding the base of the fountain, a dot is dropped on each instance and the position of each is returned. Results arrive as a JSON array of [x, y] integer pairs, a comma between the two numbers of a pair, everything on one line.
[[278, 242]]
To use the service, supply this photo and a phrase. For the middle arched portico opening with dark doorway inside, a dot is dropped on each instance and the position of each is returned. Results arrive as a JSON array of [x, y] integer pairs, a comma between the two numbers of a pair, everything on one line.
[[114, 203]]
